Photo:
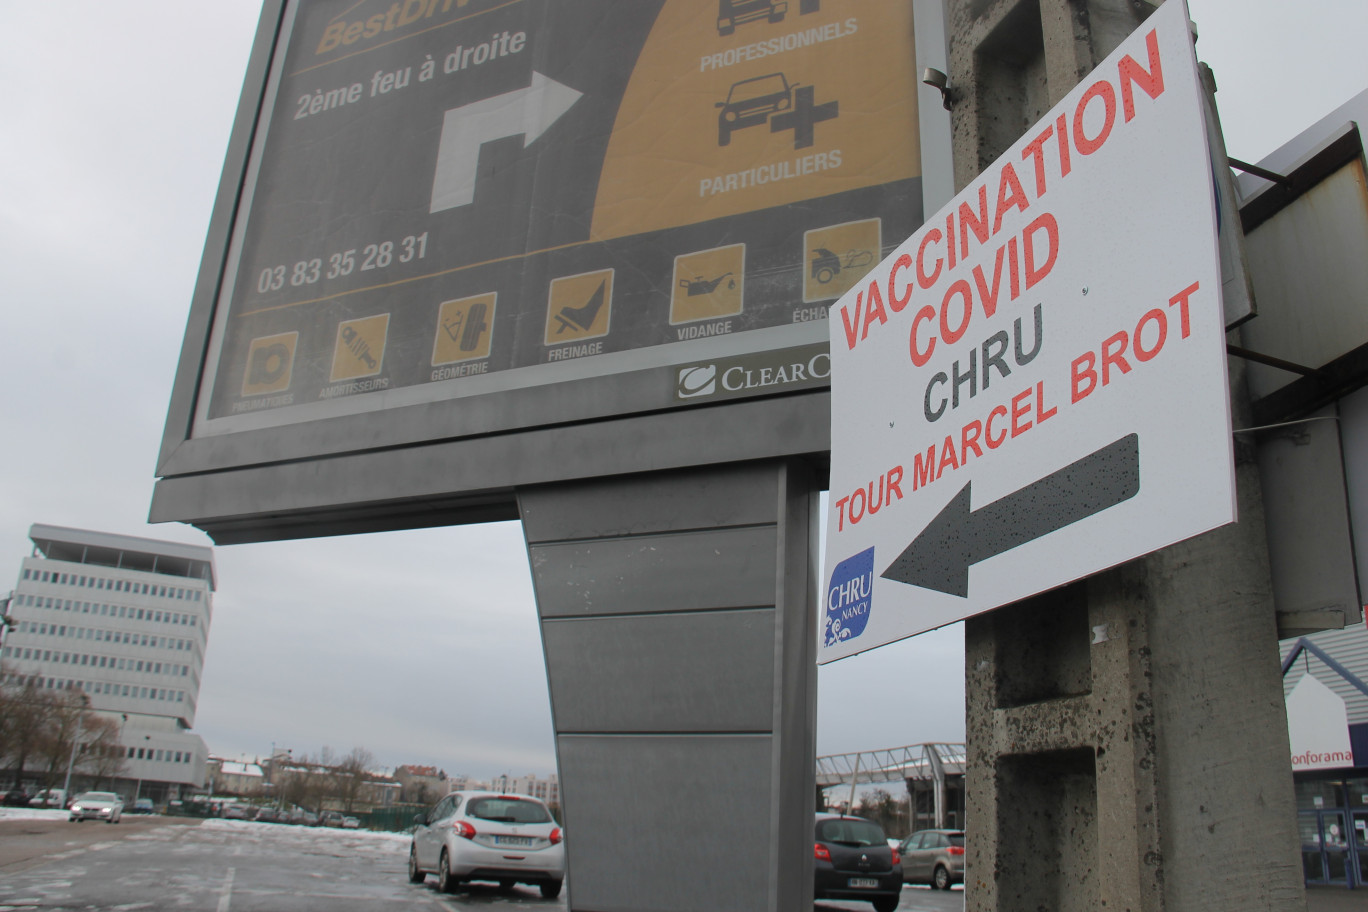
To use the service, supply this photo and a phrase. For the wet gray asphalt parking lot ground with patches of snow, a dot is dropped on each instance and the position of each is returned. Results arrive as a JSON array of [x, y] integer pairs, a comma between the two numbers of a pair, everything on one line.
[[235, 866]]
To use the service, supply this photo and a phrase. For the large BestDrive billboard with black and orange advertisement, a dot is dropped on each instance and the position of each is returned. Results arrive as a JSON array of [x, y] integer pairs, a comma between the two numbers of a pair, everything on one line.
[[521, 214]]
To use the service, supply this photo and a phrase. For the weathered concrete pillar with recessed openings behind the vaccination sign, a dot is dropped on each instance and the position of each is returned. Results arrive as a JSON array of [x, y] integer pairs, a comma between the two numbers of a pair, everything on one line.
[[1127, 735]]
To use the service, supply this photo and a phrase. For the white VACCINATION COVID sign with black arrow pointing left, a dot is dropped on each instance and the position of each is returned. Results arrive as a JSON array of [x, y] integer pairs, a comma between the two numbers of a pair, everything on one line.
[[1032, 388]]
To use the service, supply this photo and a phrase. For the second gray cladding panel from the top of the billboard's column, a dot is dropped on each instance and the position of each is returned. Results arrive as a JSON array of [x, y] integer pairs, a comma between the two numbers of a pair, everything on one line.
[[698, 571]]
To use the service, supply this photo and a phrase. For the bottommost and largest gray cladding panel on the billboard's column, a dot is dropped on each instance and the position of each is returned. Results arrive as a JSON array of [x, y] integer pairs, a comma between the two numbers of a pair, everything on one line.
[[638, 813]]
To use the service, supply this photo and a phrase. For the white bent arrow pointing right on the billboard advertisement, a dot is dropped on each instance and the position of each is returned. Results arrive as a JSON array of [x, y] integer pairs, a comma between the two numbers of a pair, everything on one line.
[[464, 131]]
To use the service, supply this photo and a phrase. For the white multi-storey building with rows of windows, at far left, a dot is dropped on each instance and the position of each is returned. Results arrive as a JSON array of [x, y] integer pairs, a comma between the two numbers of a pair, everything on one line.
[[125, 621]]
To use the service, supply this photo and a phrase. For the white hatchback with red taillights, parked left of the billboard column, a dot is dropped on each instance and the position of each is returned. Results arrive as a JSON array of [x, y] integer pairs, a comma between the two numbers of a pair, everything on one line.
[[485, 836]]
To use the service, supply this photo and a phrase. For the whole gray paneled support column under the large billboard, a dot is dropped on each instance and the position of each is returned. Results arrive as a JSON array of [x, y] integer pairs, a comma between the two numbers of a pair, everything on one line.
[[678, 623]]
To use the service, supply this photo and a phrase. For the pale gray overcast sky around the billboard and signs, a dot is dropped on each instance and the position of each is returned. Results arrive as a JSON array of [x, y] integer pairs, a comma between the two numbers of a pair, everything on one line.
[[422, 646]]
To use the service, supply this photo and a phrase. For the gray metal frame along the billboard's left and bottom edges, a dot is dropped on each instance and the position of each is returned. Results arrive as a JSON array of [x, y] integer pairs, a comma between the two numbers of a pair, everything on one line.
[[458, 460]]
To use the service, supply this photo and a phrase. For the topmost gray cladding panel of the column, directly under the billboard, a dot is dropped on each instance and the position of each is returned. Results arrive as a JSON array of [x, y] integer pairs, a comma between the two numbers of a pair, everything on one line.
[[657, 502]]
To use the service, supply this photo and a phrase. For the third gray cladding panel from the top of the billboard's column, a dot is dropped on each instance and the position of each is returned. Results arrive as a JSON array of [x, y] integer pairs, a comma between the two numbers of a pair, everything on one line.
[[708, 672]]
